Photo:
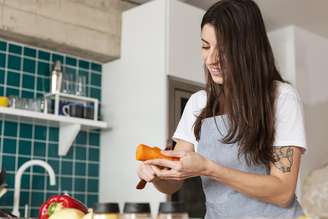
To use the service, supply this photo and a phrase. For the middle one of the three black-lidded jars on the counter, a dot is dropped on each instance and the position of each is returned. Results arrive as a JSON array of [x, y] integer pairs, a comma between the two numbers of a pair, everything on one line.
[[136, 211]]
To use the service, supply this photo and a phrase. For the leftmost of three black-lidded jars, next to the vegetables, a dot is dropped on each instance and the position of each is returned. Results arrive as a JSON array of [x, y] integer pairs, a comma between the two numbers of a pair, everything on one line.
[[106, 211]]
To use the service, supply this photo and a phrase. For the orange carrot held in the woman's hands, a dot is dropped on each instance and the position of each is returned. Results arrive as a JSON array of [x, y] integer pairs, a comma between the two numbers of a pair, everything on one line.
[[145, 152]]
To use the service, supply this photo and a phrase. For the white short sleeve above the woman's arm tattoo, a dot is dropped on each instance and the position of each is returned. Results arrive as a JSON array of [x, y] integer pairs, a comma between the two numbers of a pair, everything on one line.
[[290, 130]]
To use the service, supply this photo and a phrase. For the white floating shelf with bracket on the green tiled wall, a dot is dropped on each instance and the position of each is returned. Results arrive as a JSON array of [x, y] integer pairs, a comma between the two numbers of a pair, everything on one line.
[[69, 127]]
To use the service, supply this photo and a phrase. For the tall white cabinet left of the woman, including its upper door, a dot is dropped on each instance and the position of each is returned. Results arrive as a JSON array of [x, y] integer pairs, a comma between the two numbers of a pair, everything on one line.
[[135, 91]]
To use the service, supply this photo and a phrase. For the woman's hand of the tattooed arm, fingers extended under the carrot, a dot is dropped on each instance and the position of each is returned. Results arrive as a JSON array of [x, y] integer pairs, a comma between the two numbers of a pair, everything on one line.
[[190, 164]]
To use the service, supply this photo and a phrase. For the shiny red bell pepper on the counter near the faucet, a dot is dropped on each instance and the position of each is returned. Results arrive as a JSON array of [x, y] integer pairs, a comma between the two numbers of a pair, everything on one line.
[[59, 203]]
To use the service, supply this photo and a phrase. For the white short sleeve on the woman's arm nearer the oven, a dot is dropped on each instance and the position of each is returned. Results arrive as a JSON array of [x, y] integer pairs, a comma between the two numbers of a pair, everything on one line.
[[185, 128]]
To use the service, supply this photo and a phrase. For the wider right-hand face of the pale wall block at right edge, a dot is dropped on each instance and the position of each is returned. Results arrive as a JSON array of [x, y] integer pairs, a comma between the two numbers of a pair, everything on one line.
[[311, 79]]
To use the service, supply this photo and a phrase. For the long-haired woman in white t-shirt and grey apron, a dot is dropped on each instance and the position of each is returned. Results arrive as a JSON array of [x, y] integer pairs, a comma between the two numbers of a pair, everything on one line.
[[247, 126]]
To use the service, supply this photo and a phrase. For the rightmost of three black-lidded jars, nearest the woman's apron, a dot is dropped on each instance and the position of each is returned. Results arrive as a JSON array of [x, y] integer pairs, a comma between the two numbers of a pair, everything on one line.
[[172, 210]]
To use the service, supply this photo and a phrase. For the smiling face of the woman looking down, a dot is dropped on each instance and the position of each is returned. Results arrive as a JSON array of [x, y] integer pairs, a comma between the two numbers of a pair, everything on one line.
[[210, 53]]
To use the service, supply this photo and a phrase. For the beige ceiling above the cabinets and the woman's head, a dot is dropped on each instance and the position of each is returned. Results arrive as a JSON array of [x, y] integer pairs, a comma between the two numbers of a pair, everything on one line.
[[311, 15]]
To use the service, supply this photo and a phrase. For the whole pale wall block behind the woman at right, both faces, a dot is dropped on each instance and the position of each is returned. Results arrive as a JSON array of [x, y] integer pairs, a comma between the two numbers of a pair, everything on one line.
[[301, 57]]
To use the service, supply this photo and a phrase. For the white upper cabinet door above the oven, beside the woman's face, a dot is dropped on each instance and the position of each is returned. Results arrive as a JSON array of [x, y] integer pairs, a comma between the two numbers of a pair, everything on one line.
[[185, 42]]
